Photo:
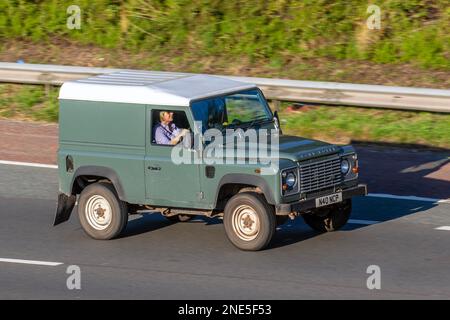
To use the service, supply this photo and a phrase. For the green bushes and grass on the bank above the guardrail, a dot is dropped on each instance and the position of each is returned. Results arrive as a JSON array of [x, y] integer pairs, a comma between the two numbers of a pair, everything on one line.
[[416, 31]]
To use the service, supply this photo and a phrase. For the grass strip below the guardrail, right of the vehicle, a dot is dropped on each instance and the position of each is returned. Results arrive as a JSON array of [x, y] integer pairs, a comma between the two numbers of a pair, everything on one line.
[[340, 124]]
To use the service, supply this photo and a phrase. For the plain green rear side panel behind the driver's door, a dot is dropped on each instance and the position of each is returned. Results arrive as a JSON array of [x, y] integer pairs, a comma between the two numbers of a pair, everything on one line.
[[103, 134]]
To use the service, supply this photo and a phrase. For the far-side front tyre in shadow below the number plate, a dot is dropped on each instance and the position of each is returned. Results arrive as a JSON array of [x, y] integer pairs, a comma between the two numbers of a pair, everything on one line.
[[329, 219]]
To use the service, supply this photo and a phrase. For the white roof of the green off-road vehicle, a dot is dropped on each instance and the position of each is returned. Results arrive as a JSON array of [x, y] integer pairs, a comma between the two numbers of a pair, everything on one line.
[[146, 87]]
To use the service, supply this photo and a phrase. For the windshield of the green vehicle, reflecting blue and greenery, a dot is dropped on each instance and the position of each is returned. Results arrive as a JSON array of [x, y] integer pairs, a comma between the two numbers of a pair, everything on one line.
[[241, 109]]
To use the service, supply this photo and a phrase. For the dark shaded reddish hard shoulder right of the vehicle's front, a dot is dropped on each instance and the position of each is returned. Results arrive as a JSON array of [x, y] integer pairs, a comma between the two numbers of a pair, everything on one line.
[[404, 169]]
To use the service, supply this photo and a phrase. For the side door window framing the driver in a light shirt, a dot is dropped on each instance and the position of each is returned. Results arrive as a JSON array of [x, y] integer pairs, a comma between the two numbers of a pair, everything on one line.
[[167, 126]]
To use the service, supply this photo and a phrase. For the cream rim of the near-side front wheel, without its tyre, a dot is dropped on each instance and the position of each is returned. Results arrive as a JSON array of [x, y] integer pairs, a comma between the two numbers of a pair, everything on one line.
[[245, 222]]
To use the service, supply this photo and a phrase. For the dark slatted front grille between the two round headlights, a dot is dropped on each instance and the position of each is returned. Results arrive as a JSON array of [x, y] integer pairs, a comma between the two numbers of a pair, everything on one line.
[[320, 175]]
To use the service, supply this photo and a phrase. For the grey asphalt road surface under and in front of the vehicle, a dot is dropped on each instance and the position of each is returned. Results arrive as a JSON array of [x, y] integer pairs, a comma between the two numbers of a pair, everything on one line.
[[409, 240]]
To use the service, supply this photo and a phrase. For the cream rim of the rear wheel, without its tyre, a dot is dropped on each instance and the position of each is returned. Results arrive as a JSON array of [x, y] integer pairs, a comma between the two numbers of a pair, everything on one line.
[[98, 212]]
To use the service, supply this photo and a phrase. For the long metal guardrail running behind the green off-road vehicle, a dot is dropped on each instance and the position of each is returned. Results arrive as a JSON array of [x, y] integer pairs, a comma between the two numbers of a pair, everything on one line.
[[404, 98]]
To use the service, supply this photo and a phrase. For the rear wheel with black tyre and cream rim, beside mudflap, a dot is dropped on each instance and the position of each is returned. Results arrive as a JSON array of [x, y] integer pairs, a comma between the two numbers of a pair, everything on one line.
[[118, 215]]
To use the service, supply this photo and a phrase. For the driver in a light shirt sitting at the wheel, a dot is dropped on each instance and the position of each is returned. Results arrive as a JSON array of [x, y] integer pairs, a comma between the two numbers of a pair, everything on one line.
[[166, 132]]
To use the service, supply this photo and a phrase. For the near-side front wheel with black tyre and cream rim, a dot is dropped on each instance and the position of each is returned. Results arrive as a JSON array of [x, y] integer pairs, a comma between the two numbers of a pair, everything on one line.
[[252, 207]]
